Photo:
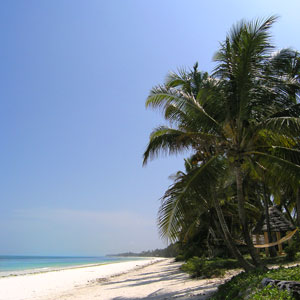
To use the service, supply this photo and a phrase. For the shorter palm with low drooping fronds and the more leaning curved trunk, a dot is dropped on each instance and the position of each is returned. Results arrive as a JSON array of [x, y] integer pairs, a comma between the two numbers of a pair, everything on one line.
[[192, 204]]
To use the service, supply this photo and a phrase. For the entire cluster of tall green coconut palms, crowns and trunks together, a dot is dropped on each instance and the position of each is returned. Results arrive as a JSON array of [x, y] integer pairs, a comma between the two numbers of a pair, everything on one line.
[[241, 126]]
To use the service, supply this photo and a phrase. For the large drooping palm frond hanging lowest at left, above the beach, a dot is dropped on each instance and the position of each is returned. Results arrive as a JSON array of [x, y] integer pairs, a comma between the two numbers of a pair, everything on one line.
[[189, 195]]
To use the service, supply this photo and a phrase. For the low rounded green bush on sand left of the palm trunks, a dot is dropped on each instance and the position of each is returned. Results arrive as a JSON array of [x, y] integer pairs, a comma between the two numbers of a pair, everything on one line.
[[200, 267]]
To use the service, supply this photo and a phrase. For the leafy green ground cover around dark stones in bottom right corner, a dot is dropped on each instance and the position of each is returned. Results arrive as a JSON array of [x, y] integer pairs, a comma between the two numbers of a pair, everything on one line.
[[241, 285]]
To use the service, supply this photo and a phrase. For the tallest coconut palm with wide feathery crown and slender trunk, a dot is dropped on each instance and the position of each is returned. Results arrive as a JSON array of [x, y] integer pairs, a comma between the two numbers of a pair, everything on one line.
[[246, 112]]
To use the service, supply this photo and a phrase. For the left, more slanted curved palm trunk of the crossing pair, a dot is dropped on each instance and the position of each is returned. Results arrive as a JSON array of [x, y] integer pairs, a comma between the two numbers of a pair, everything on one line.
[[228, 238]]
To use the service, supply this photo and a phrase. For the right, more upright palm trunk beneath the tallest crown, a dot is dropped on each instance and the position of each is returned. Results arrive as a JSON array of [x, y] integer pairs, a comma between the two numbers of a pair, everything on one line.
[[243, 218]]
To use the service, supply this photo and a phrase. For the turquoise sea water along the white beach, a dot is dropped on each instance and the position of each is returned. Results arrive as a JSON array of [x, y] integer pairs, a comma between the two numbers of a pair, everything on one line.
[[16, 265]]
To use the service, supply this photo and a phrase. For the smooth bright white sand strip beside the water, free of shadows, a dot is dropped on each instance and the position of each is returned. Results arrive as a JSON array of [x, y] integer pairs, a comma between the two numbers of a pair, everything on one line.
[[55, 282]]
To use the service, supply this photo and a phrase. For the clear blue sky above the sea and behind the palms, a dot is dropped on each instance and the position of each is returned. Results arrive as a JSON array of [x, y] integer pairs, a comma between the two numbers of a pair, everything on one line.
[[74, 77]]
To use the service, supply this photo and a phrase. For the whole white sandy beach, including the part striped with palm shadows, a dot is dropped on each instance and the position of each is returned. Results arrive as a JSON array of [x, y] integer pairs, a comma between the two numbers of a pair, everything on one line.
[[147, 279]]
